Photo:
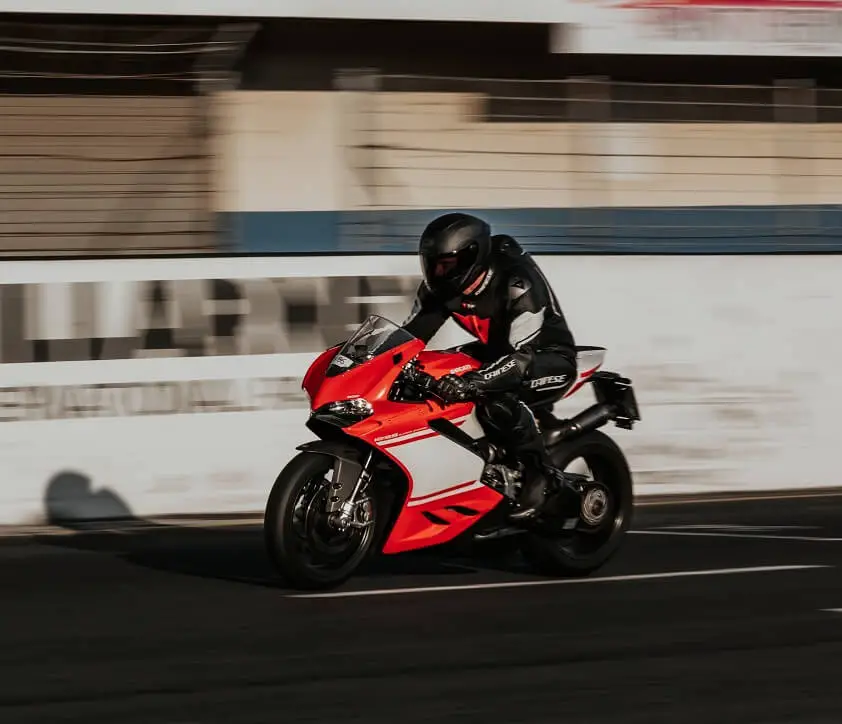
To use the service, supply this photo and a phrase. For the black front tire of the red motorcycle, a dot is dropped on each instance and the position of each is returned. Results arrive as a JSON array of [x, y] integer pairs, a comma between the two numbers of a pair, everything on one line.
[[307, 552]]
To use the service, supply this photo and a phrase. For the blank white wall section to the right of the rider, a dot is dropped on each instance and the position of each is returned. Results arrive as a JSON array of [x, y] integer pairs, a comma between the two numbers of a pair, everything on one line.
[[734, 362]]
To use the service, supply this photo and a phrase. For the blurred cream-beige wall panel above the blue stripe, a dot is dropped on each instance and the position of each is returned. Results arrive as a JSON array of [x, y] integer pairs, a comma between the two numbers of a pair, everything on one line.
[[293, 151]]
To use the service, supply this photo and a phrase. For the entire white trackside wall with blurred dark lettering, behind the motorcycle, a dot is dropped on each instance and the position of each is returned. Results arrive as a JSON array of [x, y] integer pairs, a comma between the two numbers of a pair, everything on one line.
[[153, 387]]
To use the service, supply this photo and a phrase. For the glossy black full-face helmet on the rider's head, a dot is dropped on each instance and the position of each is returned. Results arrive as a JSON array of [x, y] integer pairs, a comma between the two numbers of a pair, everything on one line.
[[454, 251]]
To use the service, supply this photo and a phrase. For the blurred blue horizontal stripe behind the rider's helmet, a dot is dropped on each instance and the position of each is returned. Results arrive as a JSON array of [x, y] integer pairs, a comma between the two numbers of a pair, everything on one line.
[[679, 230]]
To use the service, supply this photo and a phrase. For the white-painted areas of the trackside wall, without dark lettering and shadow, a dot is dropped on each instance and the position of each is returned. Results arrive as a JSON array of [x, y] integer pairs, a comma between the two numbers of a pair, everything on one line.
[[734, 361]]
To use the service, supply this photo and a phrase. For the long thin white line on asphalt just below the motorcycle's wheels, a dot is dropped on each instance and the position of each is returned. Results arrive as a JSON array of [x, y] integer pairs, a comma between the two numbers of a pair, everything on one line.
[[554, 582]]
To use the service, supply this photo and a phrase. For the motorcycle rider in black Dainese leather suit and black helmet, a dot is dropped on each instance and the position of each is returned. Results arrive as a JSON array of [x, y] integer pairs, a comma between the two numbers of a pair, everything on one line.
[[494, 290]]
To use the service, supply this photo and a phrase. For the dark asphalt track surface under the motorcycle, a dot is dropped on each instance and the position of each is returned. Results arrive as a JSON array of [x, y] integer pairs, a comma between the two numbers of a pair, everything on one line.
[[178, 625]]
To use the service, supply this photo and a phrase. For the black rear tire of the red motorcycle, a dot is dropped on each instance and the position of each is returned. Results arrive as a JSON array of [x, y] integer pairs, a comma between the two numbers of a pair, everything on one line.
[[587, 548]]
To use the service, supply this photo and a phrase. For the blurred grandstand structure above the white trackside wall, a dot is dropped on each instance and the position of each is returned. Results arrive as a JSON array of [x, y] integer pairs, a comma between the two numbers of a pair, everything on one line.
[[184, 134]]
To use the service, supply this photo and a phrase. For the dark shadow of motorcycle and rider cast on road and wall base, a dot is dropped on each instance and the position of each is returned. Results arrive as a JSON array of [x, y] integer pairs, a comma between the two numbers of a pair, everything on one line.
[[102, 522]]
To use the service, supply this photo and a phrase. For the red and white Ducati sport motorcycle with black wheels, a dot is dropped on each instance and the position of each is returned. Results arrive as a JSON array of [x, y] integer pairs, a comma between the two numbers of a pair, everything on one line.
[[395, 468]]
